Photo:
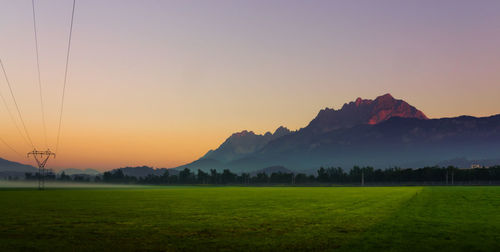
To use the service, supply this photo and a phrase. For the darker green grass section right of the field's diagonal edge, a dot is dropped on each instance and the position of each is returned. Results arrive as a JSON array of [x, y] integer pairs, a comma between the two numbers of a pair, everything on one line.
[[440, 219]]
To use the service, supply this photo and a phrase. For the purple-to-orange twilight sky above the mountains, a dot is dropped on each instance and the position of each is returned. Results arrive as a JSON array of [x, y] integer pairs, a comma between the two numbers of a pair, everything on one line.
[[160, 83]]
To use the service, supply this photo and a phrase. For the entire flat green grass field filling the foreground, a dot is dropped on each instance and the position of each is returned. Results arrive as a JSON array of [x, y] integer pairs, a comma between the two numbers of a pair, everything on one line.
[[251, 218]]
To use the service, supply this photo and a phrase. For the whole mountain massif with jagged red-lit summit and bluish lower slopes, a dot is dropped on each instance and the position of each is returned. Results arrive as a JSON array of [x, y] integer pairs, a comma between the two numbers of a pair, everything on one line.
[[382, 132]]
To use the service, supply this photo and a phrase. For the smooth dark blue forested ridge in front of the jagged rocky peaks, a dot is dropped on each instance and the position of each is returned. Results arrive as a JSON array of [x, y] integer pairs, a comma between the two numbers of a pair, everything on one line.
[[408, 142]]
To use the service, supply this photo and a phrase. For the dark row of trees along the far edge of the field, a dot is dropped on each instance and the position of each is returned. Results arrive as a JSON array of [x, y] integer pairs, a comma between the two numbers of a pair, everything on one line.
[[329, 175]]
